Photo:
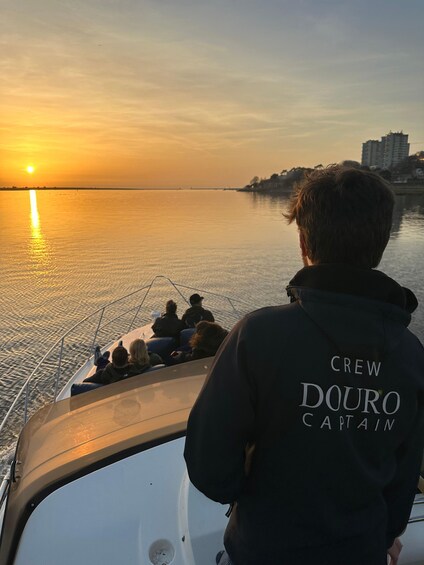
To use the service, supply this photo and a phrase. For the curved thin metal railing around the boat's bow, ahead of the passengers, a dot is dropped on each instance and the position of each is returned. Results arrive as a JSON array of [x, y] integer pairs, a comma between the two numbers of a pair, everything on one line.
[[104, 326]]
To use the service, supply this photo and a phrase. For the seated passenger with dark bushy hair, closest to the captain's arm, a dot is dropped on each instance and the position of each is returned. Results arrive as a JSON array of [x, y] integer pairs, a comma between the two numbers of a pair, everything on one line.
[[204, 342]]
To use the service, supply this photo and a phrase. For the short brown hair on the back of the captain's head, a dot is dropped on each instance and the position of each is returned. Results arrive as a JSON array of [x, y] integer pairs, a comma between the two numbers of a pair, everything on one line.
[[344, 215]]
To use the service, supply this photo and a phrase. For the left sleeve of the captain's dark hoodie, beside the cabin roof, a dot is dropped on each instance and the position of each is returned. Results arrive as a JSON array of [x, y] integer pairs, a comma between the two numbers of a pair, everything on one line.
[[221, 424]]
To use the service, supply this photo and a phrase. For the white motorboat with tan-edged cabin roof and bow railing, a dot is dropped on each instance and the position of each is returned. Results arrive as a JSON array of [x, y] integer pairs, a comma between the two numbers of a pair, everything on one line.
[[99, 478]]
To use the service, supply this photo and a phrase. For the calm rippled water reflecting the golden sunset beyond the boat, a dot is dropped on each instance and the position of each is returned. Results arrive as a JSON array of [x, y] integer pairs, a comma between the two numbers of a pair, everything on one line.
[[66, 253]]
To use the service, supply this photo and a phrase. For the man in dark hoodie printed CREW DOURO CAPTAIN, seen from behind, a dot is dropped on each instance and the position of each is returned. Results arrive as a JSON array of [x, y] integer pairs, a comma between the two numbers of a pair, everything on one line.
[[311, 420]]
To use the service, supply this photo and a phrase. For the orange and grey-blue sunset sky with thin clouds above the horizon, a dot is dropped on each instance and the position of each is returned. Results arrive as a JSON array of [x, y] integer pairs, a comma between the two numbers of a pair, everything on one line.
[[170, 94]]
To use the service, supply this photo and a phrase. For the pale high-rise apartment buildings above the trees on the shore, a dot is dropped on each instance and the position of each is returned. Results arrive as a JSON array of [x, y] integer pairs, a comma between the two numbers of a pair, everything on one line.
[[386, 153]]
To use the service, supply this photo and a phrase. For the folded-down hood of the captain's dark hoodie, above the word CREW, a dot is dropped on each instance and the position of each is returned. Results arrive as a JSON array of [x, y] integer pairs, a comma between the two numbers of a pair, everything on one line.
[[345, 301]]
